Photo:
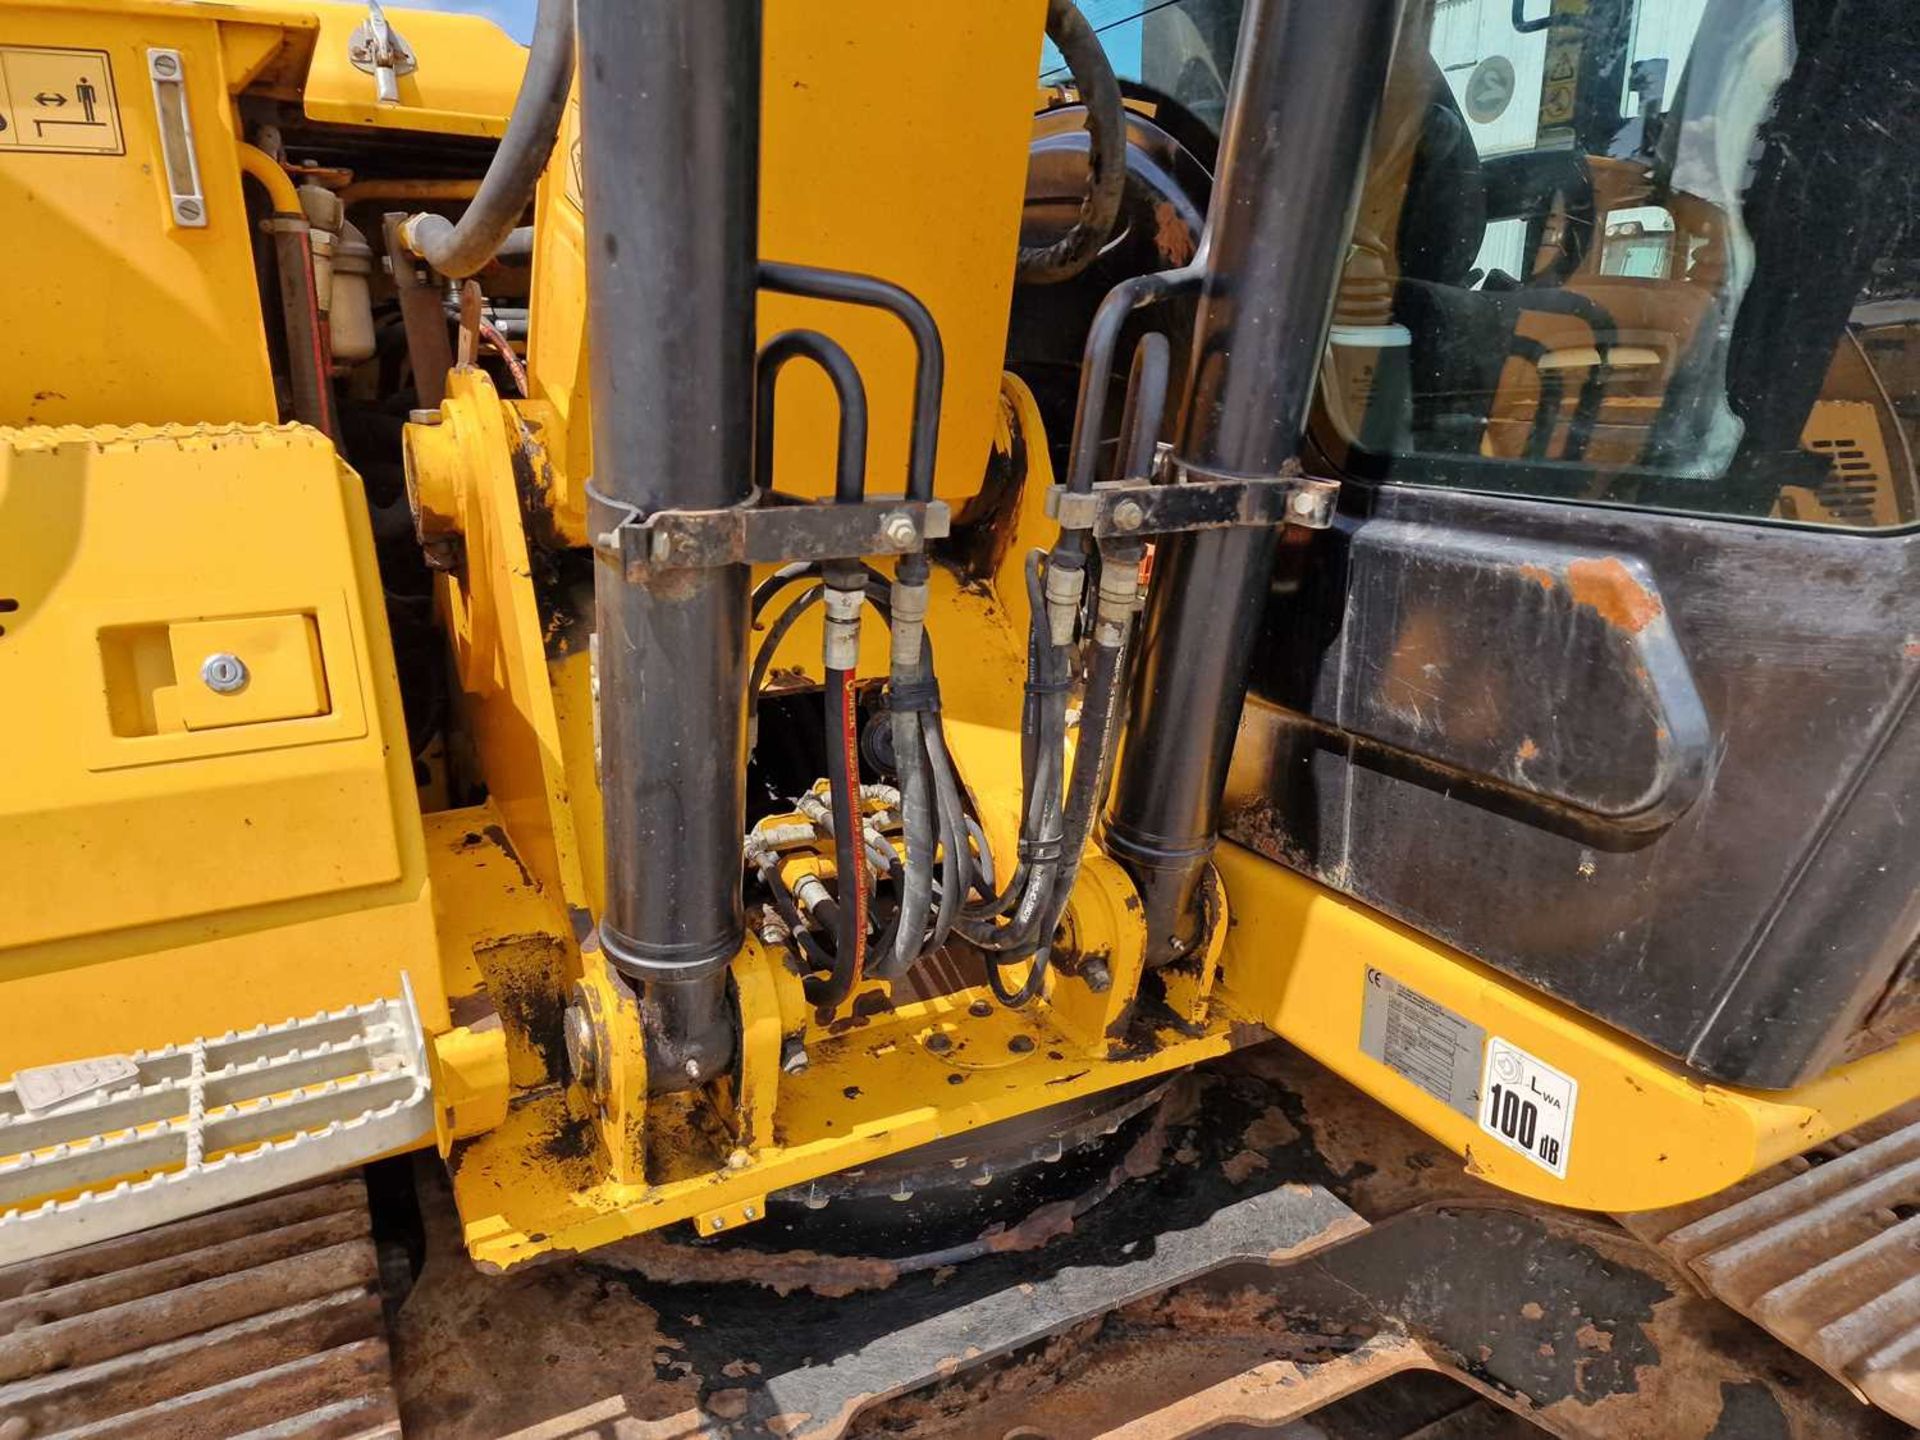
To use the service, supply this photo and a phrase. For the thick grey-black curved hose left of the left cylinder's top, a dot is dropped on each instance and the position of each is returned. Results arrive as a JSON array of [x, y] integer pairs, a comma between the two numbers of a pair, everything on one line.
[[462, 249]]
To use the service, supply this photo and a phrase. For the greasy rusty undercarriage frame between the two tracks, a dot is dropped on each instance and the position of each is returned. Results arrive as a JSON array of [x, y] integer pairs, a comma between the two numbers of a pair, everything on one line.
[[1570, 1324]]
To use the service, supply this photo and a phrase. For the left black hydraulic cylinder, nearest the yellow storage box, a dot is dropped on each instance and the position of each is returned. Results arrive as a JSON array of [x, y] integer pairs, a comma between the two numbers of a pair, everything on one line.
[[671, 122]]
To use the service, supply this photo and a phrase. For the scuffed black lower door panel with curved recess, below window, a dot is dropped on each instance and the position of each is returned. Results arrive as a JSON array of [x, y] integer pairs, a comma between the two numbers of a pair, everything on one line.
[[1700, 938]]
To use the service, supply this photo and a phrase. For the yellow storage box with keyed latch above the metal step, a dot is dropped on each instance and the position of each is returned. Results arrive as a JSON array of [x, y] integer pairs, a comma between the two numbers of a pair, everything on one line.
[[166, 880]]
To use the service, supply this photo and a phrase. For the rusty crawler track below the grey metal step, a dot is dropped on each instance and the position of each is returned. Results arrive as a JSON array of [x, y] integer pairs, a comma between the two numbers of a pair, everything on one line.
[[258, 1316]]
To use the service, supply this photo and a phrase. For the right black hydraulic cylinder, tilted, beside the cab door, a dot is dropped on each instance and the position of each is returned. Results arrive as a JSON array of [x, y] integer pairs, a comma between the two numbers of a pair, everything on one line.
[[1307, 85]]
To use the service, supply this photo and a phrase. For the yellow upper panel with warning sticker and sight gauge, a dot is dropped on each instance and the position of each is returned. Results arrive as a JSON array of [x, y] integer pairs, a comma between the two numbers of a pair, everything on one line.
[[116, 314]]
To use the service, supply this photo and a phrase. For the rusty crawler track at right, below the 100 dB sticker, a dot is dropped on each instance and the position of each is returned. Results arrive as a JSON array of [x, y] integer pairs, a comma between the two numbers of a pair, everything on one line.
[[1825, 1253]]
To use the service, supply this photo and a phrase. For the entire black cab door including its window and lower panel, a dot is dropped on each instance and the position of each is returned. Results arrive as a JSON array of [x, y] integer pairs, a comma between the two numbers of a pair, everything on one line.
[[1608, 671]]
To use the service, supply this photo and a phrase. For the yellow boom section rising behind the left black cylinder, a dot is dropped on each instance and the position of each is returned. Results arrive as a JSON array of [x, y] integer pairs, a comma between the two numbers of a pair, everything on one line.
[[919, 185]]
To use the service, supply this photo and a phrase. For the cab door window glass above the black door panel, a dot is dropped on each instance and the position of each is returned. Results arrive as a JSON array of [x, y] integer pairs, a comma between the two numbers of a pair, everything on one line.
[[1652, 252]]
